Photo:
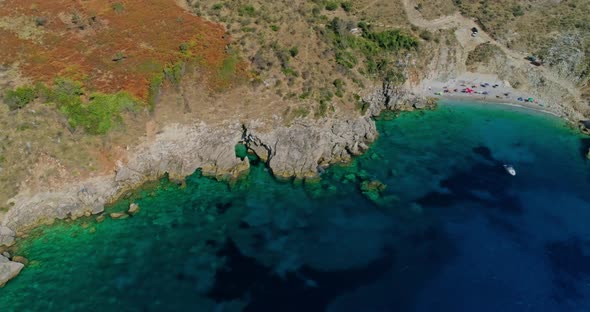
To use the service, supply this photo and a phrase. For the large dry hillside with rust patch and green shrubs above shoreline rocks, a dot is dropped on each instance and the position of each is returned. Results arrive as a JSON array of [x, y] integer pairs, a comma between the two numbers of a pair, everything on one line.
[[82, 81]]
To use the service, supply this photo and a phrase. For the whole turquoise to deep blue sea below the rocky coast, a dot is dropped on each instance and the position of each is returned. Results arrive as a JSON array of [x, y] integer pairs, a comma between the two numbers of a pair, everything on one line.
[[447, 229]]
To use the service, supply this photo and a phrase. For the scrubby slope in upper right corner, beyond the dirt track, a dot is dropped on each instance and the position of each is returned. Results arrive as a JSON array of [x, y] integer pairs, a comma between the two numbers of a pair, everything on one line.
[[558, 32]]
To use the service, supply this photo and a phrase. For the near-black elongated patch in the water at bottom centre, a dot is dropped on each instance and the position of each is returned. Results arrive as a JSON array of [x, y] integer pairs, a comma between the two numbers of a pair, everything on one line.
[[305, 290]]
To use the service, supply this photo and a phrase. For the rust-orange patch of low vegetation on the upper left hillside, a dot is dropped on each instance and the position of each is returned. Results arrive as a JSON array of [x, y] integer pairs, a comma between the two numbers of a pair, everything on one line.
[[108, 45]]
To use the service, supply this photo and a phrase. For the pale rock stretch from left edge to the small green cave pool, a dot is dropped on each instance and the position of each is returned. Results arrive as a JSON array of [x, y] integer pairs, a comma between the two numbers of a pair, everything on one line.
[[178, 151]]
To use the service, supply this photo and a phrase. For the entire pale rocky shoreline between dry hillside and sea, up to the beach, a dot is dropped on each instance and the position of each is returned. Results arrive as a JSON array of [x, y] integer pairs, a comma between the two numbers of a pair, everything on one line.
[[300, 150]]
